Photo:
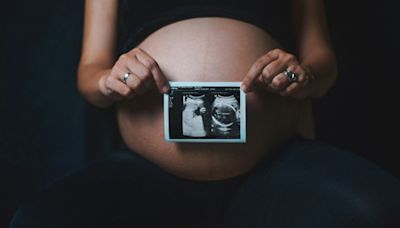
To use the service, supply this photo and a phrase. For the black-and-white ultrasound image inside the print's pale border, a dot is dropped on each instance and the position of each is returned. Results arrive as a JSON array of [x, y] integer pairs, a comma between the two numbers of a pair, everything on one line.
[[204, 112]]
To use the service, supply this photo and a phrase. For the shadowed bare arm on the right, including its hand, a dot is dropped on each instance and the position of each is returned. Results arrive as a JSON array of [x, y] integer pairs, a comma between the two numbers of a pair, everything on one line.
[[315, 65]]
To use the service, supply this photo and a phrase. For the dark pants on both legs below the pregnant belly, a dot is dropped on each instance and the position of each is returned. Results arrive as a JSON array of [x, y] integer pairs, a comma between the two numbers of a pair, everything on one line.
[[306, 184]]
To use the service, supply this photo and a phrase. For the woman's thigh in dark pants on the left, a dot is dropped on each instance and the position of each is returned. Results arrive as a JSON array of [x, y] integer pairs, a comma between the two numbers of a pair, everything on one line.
[[122, 191]]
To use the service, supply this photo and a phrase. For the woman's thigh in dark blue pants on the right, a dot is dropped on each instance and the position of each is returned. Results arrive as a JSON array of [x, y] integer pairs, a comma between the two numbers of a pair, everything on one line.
[[310, 184]]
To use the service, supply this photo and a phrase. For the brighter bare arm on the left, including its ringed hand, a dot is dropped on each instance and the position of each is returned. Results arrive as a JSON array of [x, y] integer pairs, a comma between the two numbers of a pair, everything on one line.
[[101, 73]]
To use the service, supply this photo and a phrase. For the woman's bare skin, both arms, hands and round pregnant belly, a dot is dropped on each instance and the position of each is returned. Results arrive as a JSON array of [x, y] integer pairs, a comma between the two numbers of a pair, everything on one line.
[[257, 61]]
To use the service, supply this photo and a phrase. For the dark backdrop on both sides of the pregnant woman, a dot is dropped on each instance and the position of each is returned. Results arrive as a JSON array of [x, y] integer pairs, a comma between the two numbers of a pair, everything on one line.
[[48, 131]]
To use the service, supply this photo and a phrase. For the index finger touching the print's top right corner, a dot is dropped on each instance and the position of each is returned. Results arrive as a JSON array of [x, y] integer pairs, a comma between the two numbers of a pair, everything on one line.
[[256, 70]]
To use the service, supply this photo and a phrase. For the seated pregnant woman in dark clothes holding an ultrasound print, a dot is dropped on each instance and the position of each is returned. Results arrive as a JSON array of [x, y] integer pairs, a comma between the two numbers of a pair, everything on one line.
[[281, 177]]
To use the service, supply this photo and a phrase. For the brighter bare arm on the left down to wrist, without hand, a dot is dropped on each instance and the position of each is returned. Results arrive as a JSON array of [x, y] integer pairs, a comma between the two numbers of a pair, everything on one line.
[[98, 49]]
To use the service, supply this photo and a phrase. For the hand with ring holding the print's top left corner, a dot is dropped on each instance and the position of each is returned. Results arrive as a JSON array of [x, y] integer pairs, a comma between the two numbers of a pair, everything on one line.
[[144, 74]]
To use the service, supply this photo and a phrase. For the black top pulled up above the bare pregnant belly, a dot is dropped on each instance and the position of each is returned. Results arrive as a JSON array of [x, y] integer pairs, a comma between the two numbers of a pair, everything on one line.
[[138, 19]]
